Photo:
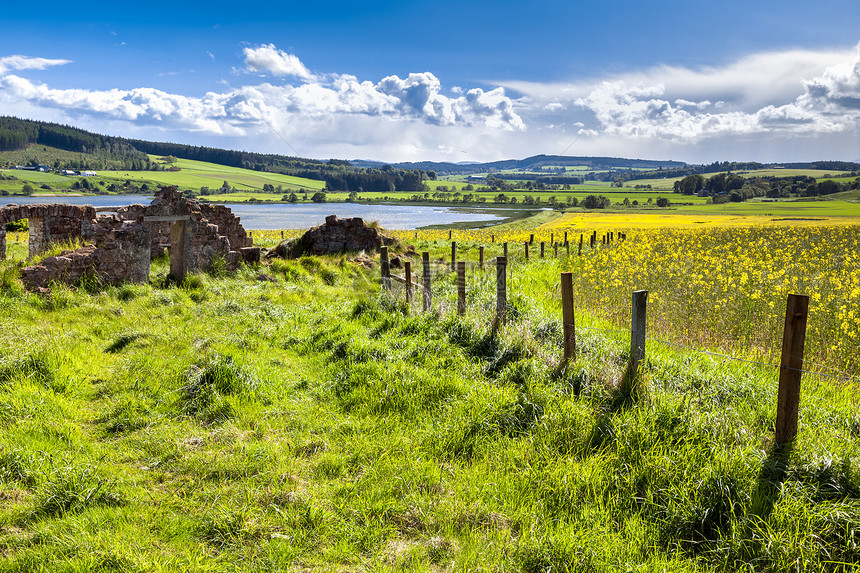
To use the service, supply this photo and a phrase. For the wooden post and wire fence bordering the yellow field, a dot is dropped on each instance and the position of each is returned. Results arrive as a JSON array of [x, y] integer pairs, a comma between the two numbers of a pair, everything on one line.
[[440, 287]]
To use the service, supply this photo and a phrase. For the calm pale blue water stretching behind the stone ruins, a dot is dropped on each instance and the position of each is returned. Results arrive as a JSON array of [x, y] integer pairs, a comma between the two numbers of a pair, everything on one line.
[[305, 215]]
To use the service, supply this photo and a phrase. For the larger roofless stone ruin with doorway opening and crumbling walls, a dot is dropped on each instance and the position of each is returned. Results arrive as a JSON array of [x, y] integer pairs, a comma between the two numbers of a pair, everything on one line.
[[122, 241]]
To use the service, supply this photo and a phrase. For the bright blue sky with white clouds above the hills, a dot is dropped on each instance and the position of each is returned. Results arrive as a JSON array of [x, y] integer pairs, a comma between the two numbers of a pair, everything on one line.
[[452, 81]]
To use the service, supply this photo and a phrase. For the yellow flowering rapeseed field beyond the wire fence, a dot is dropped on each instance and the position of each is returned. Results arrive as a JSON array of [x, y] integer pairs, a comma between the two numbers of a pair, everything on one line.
[[716, 282]]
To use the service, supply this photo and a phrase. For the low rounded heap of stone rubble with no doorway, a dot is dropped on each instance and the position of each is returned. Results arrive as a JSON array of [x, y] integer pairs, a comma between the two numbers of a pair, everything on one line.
[[335, 236]]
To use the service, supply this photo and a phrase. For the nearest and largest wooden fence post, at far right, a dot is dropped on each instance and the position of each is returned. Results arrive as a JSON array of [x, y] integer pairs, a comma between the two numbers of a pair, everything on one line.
[[790, 367]]
